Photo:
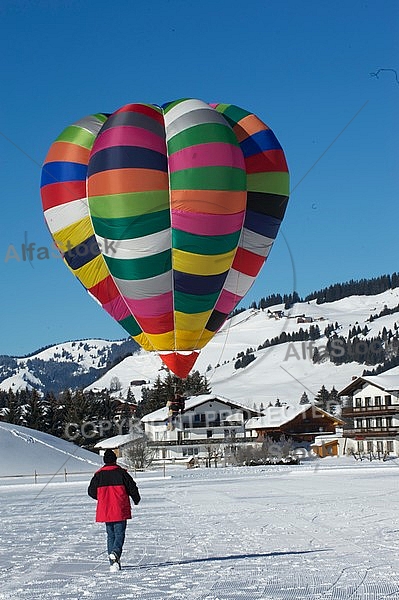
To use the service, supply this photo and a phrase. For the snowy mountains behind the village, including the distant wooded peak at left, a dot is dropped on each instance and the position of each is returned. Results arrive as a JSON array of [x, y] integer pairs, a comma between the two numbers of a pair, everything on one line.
[[282, 371]]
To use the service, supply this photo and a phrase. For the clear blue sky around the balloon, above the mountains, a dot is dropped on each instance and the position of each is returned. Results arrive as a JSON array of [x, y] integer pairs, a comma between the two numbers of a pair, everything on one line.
[[302, 67]]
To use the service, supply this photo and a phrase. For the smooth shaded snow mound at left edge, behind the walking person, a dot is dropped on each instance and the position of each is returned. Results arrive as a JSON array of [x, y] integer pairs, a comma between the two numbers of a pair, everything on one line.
[[25, 450]]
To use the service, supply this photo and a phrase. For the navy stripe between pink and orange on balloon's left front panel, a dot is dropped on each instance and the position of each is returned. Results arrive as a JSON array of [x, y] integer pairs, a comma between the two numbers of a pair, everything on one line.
[[127, 157]]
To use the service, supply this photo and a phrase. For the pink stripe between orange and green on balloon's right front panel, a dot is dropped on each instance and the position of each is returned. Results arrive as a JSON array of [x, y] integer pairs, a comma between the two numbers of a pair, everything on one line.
[[207, 224]]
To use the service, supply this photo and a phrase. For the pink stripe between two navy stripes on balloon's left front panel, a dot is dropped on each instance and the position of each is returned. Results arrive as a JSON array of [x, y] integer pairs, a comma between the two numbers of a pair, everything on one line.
[[129, 136]]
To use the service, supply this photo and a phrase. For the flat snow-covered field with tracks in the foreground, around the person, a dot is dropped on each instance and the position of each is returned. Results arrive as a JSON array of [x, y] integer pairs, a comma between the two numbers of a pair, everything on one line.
[[324, 530]]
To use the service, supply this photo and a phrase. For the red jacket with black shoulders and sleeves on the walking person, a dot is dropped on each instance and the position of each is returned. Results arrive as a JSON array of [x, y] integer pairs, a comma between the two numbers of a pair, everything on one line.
[[112, 486]]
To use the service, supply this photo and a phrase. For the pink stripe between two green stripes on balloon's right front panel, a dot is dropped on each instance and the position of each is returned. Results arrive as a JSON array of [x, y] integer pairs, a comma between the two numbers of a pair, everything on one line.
[[213, 154]]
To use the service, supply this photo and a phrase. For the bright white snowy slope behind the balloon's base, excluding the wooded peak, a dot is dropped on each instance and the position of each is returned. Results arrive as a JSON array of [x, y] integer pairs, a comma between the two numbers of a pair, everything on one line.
[[283, 371]]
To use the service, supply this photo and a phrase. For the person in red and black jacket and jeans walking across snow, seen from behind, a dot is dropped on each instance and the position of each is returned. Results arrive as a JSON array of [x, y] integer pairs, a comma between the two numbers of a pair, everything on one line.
[[113, 487]]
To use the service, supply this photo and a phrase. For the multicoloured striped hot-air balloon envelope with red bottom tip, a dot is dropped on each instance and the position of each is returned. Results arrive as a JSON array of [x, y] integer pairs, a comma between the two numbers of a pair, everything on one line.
[[166, 216]]
